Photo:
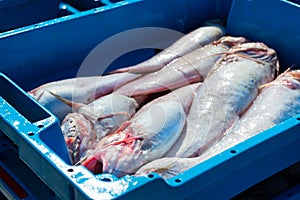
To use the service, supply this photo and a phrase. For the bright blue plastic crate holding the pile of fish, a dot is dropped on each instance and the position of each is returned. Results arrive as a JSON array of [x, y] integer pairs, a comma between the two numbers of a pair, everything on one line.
[[55, 49]]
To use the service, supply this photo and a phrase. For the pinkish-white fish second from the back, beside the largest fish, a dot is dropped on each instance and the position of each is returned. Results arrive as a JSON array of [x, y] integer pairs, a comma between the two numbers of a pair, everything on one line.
[[190, 68]]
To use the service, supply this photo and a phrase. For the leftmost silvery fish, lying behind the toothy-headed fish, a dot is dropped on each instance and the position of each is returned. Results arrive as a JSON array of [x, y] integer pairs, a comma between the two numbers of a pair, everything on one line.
[[80, 89]]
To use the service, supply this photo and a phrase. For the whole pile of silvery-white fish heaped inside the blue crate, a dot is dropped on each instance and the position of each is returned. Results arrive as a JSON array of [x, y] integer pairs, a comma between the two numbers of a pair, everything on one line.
[[204, 94]]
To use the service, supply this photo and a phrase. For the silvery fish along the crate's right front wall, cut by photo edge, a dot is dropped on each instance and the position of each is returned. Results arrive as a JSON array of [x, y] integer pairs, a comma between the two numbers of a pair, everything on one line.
[[277, 102]]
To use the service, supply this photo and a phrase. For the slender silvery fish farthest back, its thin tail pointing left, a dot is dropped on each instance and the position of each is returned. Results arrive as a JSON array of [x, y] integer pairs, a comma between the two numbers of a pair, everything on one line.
[[193, 40]]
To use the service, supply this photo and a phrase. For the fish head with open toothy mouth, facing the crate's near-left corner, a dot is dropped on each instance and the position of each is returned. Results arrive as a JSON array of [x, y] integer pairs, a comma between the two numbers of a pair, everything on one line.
[[78, 134]]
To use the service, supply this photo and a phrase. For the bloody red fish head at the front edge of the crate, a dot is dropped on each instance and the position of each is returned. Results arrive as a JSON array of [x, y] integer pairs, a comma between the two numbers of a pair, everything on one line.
[[120, 157]]
